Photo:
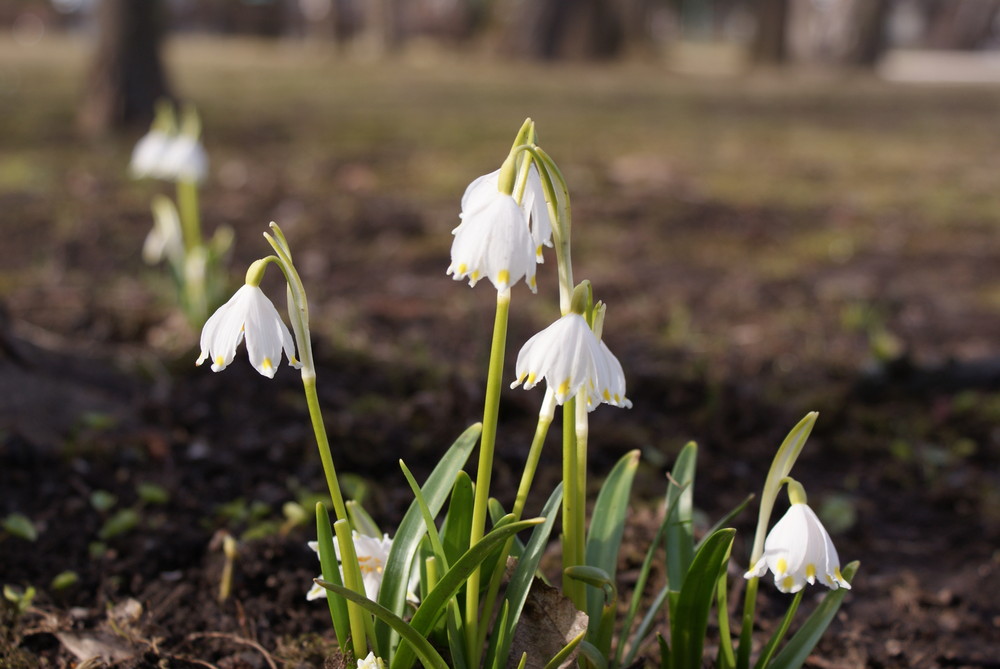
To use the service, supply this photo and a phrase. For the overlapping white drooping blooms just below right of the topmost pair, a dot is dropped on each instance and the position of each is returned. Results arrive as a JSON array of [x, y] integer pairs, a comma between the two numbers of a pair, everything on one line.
[[570, 357]]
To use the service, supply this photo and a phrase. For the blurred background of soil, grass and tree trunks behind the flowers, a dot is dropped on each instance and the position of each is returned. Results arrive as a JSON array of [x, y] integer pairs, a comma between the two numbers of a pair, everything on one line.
[[788, 205]]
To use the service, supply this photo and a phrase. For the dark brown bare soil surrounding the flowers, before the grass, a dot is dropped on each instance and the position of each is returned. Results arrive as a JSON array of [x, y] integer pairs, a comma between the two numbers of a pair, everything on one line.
[[99, 395]]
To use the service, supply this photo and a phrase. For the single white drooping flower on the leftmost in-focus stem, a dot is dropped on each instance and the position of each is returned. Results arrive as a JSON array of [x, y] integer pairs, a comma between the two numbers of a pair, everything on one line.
[[247, 314]]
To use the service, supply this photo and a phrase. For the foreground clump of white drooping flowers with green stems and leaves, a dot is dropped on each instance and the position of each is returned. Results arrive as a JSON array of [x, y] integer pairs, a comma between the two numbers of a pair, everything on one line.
[[449, 587]]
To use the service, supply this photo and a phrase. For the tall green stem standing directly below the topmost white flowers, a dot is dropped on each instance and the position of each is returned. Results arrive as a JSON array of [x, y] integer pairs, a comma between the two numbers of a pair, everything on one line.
[[485, 469]]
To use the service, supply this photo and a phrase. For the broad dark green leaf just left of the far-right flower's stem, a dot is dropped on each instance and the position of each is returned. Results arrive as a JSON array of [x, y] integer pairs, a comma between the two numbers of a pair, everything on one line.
[[689, 618]]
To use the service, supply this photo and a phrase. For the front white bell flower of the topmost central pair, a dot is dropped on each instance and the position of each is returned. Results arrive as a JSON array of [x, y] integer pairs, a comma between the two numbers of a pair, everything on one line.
[[493, 239]]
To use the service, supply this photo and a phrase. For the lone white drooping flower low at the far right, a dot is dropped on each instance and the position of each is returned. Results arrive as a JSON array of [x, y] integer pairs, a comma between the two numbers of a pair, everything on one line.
[[798, 550]]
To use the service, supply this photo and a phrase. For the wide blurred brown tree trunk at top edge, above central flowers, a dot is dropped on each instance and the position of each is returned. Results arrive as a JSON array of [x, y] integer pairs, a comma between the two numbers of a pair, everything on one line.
[[556, 29]]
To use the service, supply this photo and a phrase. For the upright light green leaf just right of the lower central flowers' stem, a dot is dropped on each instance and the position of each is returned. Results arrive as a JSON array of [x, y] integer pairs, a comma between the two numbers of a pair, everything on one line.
[[605, 536]]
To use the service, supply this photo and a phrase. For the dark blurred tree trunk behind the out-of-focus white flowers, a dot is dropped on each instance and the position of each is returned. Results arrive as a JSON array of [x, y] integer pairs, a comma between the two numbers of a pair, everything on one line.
[[127, 75]]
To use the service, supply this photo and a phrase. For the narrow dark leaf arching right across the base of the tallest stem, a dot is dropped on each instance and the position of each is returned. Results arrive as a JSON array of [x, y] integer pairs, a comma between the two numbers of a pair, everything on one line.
[[452, 581]]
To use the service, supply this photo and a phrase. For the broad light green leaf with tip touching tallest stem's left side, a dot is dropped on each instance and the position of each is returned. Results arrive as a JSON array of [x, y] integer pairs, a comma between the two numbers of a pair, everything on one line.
[[395, 581]]
